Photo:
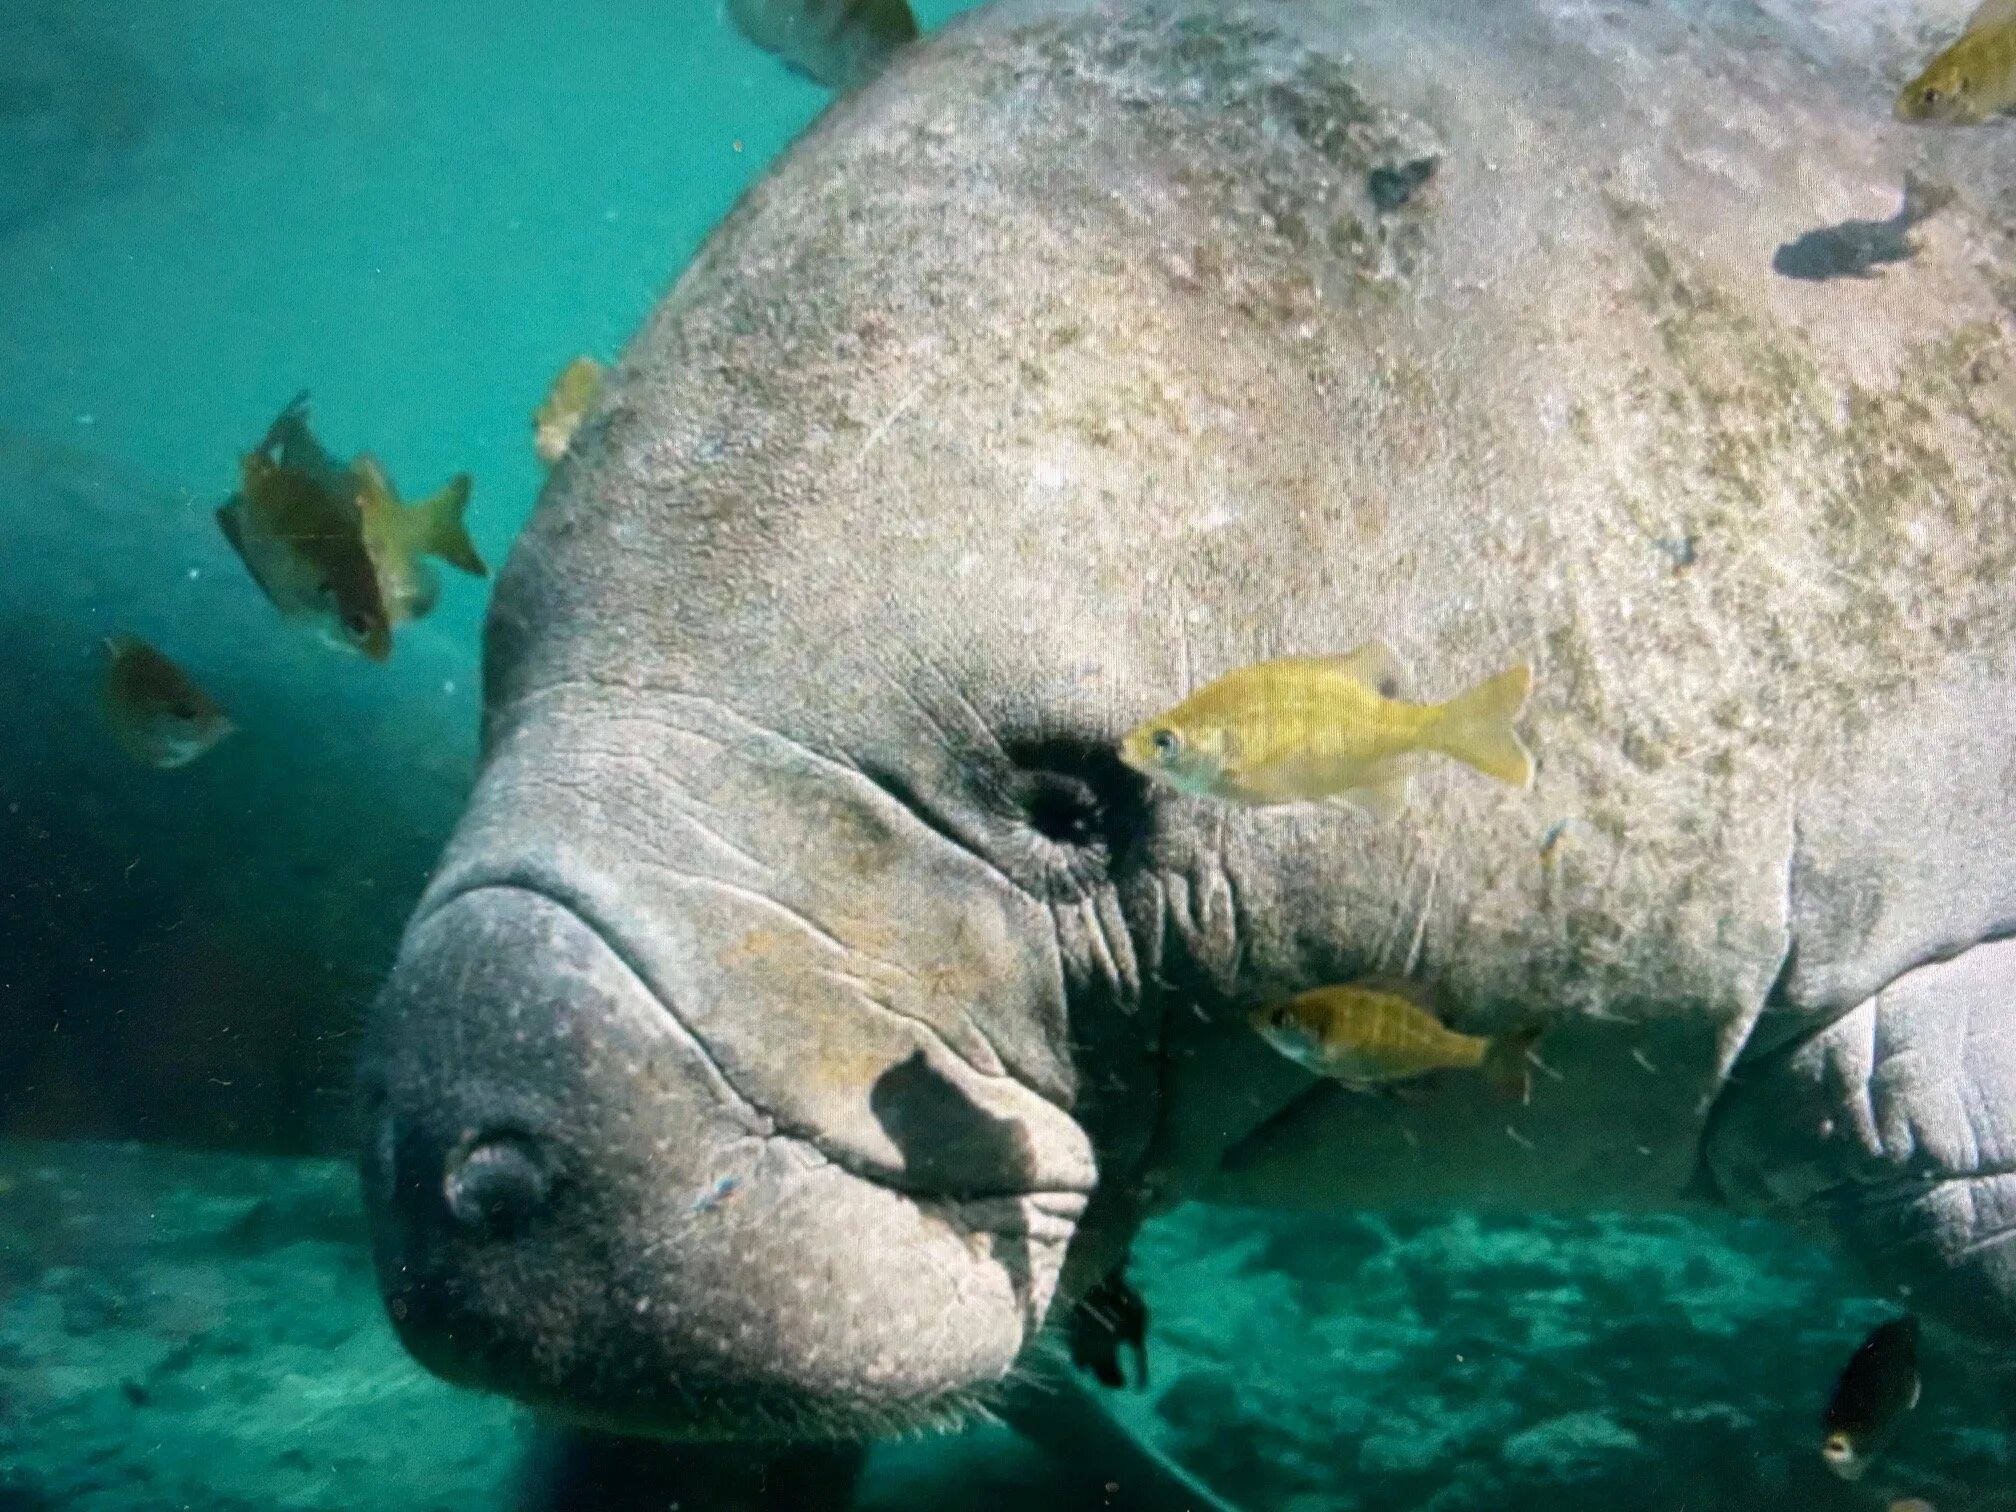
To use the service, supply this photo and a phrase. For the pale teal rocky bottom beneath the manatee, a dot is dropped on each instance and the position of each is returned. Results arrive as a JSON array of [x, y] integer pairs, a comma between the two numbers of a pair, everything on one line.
[[197, 1332]]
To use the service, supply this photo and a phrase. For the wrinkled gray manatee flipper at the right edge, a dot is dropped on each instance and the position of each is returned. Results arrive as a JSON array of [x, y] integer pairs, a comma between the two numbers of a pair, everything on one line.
[[1894, 1134]]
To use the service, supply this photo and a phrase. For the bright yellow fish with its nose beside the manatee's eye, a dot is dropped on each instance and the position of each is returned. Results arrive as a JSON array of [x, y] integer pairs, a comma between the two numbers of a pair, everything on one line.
[[1328, 729]]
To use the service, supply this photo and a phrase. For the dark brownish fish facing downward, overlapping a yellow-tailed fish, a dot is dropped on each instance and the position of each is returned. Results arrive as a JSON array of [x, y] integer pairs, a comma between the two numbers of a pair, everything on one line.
[[305, 547]]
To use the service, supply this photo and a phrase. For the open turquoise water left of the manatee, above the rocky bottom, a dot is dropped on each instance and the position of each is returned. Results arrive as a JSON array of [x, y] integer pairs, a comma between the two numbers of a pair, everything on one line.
[[418, 215]]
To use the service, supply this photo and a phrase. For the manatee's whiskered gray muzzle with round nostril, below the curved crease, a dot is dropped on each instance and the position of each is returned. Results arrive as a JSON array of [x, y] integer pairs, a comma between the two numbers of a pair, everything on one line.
[[574, 1207]]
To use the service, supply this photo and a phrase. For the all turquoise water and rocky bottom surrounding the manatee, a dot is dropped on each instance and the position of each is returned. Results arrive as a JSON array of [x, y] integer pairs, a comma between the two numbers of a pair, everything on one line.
[[420, 215]]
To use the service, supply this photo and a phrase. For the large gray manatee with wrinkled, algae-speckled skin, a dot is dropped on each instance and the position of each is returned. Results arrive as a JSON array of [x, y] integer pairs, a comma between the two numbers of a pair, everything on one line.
[[1092, 354]]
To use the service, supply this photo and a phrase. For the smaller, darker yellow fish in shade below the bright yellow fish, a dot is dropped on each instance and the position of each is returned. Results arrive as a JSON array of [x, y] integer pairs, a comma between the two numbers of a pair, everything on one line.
[[1378, 1031]]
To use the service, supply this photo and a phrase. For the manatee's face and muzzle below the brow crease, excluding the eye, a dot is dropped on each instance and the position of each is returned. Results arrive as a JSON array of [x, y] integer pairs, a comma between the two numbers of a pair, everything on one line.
[[715, 1092]]
